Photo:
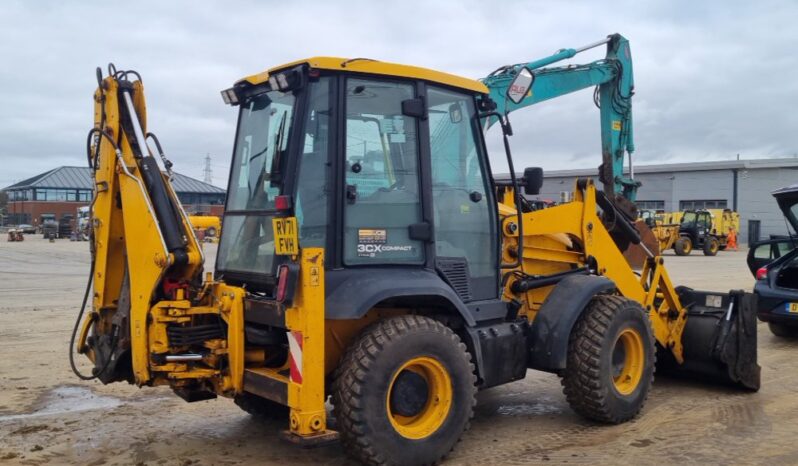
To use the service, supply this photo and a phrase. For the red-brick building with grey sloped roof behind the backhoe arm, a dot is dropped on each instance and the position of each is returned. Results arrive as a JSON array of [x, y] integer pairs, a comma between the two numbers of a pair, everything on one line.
[[59, 192]]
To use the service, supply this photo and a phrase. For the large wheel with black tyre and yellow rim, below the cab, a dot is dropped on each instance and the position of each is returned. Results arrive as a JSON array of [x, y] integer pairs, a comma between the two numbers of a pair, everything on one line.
[[404, 392]]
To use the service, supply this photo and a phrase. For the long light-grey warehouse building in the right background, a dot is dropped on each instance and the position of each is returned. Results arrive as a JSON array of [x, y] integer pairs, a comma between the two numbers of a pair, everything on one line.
[[741, 185]]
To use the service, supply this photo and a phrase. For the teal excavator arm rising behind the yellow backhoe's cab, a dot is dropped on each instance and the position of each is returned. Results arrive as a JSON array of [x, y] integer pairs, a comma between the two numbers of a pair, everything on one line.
[[613, 79]]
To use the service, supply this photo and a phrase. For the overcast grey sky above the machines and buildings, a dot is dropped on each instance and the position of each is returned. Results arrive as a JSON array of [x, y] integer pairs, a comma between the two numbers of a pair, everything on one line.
[[713, 78]]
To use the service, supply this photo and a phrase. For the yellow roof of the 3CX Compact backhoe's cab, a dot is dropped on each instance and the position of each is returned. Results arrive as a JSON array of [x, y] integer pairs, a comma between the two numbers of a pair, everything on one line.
[[366, 65]]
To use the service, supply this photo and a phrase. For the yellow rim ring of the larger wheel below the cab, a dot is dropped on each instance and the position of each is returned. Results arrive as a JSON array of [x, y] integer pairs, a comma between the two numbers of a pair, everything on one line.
[[438, 400]]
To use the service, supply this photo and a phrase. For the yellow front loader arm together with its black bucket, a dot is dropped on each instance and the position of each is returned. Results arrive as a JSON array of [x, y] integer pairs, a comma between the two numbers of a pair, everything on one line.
[[706, 333]]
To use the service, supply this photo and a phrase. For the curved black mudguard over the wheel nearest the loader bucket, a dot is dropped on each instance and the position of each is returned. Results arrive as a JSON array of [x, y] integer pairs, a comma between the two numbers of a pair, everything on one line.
[[553, 323]]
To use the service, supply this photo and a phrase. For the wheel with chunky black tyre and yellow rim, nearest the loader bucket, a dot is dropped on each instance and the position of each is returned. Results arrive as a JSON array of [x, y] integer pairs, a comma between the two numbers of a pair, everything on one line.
[[610, 363]]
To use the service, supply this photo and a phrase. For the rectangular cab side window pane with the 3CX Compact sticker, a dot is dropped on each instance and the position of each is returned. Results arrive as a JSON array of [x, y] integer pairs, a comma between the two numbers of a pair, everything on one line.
[[382, 198]]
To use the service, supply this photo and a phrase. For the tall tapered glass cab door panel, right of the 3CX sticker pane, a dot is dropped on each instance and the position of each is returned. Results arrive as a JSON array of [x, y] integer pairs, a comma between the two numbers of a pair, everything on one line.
[[464, 212]]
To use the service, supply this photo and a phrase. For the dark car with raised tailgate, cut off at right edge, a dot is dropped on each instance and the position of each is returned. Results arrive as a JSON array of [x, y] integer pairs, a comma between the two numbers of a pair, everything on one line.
[[774, 263]]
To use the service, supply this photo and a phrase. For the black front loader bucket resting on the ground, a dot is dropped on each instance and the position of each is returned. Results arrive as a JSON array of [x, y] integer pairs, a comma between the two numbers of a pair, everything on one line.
[[719, 339]]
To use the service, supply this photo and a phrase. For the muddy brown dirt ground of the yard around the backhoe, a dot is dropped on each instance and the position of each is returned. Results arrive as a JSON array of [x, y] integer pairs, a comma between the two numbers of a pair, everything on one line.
[[47, 415]]
